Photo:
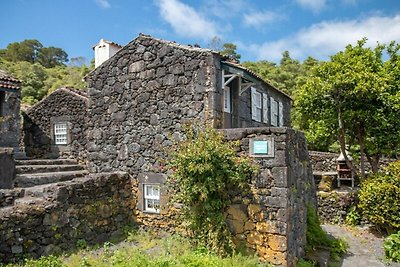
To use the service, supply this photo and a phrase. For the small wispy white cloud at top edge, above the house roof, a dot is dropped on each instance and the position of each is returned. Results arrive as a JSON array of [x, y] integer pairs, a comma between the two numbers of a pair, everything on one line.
[[185, 20]]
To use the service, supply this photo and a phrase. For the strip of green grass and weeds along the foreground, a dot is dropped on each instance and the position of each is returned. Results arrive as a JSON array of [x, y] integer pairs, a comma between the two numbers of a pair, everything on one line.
[[145, 250]]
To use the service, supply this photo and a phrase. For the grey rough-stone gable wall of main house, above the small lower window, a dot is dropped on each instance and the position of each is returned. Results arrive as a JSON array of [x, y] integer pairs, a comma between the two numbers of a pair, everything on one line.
[[142, 95]]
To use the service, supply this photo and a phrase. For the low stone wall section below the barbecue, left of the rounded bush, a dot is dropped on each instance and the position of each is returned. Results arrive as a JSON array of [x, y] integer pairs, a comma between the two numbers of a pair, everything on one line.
[[333, 206]]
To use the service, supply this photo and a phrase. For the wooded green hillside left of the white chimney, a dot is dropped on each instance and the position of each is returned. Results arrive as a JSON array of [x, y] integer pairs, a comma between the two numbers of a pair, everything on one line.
[[42, 69]]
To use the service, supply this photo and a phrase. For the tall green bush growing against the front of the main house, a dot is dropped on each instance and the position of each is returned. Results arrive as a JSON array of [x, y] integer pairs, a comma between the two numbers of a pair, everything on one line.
[[205, 168]]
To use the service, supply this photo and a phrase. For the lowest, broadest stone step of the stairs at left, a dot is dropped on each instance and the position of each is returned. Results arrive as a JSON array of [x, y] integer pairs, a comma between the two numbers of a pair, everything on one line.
[[29, 180]]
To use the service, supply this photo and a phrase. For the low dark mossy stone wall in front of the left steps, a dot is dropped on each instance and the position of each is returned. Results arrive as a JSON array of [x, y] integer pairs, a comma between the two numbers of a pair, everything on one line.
[[94, 208]]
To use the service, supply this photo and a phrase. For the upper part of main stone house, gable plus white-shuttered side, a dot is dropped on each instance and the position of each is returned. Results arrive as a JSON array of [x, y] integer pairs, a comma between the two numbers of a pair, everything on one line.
[[150, 87]]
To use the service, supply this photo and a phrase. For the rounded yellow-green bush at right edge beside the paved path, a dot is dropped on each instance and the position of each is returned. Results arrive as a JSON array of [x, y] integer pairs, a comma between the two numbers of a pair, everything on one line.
[[379, 198]]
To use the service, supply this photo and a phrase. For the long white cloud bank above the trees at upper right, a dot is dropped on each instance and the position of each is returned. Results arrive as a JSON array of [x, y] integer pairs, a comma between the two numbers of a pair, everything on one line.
[[327, 38]]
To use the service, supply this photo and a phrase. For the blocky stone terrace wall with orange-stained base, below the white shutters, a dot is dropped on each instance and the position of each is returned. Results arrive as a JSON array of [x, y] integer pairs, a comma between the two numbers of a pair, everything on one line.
[[272, 217]]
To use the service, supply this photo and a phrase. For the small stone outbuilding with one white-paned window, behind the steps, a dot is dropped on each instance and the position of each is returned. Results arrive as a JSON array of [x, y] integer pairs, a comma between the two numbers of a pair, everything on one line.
[[55, 127]]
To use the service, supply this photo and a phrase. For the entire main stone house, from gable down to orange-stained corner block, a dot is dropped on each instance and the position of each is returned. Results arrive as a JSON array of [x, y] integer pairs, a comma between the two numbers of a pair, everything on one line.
[[139, 100]]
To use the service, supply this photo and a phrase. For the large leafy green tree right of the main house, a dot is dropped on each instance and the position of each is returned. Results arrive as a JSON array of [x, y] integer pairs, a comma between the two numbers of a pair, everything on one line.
[[350, 94]]
